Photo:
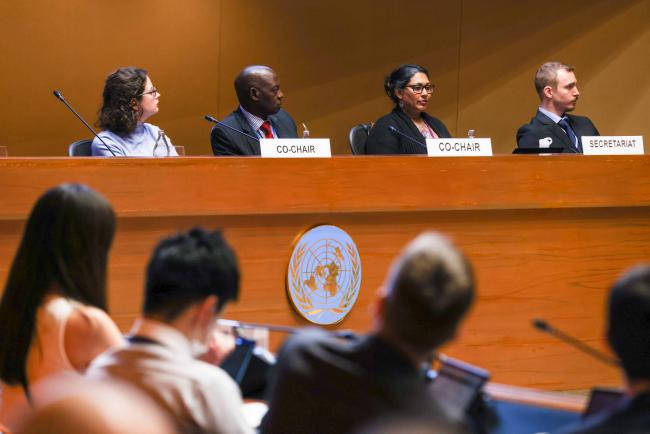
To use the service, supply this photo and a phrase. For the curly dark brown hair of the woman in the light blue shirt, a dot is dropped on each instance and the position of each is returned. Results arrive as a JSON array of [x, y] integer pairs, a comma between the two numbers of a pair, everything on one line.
[[122, 88]]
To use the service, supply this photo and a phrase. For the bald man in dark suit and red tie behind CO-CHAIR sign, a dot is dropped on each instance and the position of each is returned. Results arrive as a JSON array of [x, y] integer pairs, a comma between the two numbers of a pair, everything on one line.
[[259, 114]]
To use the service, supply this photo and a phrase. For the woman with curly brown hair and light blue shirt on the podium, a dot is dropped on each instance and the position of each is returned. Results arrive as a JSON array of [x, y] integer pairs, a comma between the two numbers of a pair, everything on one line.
[[130, 98]]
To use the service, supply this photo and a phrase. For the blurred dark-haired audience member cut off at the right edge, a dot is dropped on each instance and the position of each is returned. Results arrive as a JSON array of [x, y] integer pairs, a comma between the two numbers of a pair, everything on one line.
[[628, 333]]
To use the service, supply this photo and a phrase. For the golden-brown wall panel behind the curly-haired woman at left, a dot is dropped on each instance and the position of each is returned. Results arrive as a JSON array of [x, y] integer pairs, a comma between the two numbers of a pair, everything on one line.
[[72, 46]]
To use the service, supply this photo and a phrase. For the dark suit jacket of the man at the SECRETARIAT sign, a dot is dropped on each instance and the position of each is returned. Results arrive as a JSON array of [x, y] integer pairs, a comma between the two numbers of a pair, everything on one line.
[[542, 127]]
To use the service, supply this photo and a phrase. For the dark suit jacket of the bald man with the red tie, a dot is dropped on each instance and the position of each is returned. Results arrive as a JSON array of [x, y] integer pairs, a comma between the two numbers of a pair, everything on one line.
[[227, 142]]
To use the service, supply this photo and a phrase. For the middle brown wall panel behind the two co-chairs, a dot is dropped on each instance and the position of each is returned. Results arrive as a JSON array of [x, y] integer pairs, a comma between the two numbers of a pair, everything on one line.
[[332, 56]]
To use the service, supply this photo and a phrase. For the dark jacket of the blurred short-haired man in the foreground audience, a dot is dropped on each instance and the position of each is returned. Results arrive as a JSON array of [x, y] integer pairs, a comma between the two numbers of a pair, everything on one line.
[[323, 385]]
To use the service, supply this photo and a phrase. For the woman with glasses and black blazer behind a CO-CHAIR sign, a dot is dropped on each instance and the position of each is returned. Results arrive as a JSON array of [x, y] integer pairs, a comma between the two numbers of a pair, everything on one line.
[[409, 88]]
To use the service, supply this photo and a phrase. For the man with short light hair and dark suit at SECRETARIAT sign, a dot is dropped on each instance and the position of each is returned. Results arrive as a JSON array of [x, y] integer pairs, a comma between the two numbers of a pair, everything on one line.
[[552, 126]]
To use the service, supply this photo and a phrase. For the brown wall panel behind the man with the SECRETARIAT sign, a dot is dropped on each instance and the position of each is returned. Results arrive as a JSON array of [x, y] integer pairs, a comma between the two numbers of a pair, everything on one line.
[[504, 43]]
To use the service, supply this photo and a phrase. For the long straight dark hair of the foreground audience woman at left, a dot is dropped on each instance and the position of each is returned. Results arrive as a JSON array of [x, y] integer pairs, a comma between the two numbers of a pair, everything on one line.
[[64, 250]]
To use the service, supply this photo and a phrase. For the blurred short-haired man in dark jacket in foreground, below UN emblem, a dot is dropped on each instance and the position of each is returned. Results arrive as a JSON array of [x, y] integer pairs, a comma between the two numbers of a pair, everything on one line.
[[326, 385]]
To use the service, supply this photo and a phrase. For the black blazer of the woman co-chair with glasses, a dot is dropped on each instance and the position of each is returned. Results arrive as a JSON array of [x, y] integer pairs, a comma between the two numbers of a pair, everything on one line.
[[382, 141]]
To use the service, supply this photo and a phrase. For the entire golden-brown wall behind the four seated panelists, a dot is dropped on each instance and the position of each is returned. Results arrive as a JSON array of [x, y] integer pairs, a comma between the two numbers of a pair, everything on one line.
[[331, 57]]
